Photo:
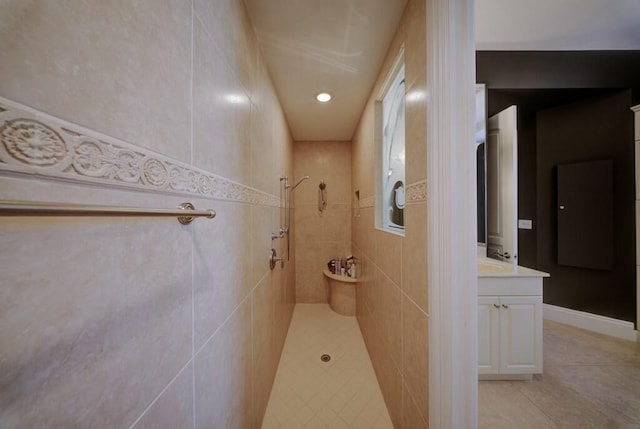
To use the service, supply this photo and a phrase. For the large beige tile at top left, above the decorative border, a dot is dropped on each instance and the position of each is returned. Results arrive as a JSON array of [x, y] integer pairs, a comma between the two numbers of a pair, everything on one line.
[[104, 66]]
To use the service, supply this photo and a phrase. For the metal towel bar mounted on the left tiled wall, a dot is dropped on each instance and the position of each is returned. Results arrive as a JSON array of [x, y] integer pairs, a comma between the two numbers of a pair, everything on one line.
[[185, 212]]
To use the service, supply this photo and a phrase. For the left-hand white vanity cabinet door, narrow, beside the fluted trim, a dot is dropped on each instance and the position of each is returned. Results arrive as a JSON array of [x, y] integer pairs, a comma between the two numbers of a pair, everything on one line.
[[488, 335]]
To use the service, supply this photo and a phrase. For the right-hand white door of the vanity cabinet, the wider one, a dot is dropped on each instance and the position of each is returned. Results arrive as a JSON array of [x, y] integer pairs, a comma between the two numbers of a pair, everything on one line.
[[521, 335]]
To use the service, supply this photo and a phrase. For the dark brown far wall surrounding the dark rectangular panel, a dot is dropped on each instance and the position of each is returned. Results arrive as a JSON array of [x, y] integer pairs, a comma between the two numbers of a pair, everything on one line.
[[596, 129]]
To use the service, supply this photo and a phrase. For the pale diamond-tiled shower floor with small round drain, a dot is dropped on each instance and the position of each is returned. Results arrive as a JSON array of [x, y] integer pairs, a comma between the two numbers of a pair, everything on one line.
[[309, 393]]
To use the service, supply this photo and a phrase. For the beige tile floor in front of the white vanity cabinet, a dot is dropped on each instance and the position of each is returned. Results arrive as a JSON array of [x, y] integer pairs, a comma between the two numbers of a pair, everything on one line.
[[589, 381]]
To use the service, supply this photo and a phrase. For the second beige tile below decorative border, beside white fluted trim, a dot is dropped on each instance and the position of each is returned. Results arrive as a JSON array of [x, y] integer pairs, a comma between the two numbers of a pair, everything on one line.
[[415, 354]]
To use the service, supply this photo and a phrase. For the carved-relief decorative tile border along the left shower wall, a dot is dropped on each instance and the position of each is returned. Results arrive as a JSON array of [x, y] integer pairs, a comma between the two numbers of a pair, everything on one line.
[[34, 143]]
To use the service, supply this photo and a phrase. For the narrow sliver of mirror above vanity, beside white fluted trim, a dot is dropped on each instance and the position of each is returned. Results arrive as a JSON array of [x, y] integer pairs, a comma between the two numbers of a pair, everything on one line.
[[481, 162]]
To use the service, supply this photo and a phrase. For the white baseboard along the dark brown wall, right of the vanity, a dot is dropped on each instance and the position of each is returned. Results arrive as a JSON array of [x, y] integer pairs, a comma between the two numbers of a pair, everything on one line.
[[592, 322]]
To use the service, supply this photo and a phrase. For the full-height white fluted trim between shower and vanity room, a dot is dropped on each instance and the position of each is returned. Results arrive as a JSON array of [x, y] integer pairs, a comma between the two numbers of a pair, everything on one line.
[[451, 212]]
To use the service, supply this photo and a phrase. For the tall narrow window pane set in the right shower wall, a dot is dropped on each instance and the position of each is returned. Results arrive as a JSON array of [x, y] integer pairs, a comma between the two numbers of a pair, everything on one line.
[[393, 155]]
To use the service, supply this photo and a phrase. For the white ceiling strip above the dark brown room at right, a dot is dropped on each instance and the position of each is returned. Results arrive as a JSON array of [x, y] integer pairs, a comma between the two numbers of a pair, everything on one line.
[[557, 25]]
